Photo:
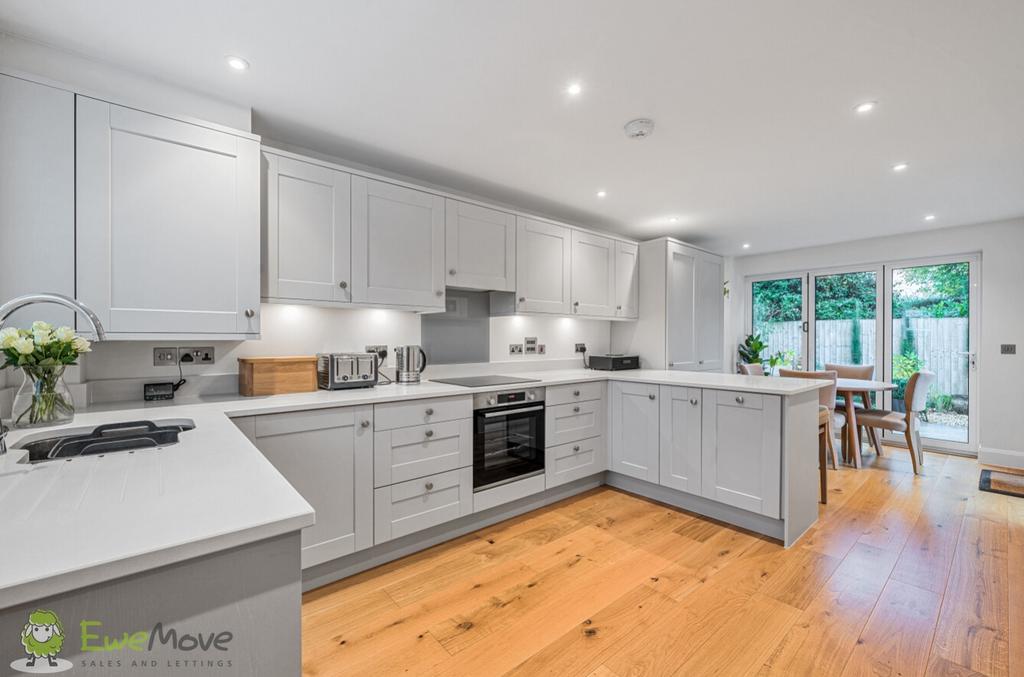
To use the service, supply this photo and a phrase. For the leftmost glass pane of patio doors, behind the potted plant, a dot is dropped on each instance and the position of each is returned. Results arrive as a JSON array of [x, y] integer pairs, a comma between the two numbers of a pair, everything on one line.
[[778, 317]]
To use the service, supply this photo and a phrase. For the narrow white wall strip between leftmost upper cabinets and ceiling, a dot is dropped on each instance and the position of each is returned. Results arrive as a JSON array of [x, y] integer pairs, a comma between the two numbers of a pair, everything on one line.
[[60, 68]]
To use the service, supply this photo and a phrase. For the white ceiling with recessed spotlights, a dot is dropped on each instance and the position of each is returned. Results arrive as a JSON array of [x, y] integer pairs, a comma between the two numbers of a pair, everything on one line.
[[756, 139]]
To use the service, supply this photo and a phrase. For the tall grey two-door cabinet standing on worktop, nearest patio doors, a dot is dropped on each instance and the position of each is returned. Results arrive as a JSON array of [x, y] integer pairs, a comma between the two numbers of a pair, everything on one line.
[[682, 326]]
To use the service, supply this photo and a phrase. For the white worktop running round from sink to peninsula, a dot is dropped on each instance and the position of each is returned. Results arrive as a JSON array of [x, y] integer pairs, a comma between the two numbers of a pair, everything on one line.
[[69, 525]]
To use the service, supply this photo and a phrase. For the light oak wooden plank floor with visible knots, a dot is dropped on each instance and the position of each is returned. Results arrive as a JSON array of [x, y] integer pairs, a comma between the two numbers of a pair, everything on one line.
[[903, 575]]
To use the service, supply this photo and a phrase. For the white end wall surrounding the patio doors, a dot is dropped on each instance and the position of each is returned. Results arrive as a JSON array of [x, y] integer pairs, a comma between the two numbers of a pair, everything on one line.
[[1002, 248]]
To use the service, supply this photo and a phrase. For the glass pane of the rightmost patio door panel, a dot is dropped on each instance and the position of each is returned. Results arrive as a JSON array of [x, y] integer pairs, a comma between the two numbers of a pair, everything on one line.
[[931, 331]]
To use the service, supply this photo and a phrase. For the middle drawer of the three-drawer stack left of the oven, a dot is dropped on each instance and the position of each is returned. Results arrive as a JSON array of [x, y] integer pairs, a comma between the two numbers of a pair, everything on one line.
[[419, 451]]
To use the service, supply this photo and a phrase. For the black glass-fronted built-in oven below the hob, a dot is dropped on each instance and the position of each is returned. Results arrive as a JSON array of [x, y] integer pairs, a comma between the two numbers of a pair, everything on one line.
[[508, 437]]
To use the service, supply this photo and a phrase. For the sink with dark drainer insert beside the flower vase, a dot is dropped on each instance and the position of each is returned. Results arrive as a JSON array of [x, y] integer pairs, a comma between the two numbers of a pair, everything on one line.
[[108, 439]]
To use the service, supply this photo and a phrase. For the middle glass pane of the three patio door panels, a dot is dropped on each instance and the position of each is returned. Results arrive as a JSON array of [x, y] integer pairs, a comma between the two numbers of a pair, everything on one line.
[[844, 319]]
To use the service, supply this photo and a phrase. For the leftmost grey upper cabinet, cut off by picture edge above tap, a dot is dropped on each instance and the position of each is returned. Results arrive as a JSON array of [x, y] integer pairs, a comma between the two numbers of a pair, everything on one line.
[[37, 197]]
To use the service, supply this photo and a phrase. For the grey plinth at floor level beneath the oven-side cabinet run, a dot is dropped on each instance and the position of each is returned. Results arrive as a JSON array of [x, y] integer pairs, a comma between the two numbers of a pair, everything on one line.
[[322, 575]]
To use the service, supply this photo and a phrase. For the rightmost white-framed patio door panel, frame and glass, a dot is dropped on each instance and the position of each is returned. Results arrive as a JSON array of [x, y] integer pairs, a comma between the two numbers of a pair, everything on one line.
[[932, 324]]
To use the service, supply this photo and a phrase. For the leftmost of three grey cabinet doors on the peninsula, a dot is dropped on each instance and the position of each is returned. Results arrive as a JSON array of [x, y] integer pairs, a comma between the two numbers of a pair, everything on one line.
[[635, 437]]
